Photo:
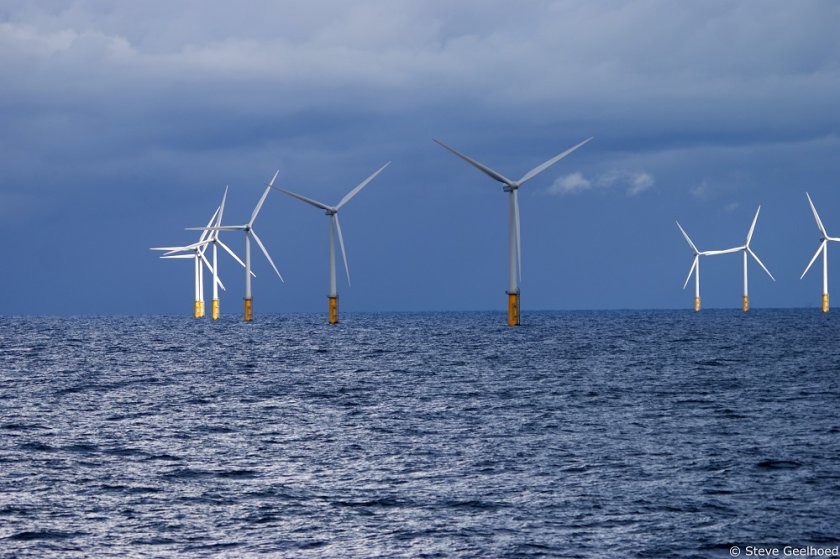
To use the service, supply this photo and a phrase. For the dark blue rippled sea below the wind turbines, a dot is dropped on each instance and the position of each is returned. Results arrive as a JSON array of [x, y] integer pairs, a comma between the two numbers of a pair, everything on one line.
[[578, 434]]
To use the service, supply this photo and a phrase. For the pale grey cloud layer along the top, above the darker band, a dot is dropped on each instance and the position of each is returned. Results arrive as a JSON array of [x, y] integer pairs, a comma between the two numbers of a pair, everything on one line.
[[549, 57]]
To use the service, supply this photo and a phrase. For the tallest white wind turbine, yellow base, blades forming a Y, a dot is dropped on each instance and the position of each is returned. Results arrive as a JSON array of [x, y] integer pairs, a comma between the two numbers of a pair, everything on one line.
[[514, 240]]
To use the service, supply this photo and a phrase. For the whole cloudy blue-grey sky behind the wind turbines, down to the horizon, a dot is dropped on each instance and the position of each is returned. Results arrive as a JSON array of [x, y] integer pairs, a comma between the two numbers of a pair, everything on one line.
[[122, 123]]
